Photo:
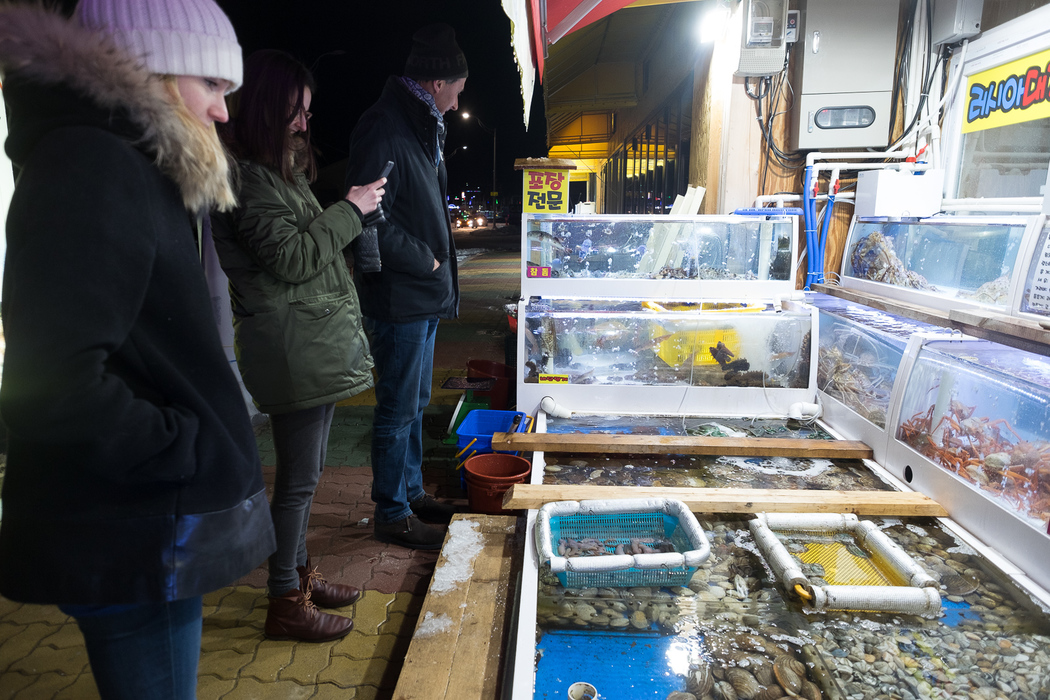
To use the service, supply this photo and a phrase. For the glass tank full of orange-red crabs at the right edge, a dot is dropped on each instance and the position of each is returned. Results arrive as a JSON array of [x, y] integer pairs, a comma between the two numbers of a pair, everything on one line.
[[981, 412]]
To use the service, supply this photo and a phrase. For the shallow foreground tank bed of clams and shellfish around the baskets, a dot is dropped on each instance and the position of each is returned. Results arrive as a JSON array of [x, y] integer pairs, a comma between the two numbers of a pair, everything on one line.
[[734, 632]]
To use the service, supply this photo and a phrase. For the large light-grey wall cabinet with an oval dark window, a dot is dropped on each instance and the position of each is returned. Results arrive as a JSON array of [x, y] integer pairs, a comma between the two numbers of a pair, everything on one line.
[[844, 75]]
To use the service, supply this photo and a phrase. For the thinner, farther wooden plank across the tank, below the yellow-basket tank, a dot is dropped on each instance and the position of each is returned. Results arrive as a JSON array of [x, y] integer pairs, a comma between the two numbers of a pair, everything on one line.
[[600, 443]]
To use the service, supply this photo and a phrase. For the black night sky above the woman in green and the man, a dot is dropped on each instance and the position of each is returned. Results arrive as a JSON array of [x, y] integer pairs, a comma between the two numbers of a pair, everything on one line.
[[355, 46]]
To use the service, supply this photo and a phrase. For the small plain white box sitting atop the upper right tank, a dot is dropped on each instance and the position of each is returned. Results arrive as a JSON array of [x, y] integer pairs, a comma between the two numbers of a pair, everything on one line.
[[897, 195]]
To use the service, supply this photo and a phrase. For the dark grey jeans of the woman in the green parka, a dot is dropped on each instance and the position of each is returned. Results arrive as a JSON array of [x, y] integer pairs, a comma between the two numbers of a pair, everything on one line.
[[301, 441]]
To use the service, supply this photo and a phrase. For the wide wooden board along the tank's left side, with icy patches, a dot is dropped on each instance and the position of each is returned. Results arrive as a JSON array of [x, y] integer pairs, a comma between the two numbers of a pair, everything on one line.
[[463, 659]]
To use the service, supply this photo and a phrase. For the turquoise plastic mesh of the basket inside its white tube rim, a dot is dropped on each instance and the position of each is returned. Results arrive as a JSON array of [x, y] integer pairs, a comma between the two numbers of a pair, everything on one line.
[[621, 528]]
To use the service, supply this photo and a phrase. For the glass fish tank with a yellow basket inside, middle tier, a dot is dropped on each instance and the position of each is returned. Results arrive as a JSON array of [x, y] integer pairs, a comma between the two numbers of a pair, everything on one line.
[[644, 343]]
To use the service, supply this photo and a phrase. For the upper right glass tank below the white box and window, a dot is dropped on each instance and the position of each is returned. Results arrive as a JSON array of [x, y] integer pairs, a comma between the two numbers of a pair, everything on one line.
[[959, 260]]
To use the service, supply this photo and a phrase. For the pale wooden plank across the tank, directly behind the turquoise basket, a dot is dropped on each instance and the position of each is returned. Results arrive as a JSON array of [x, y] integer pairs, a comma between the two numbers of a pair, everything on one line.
[[739, 500]]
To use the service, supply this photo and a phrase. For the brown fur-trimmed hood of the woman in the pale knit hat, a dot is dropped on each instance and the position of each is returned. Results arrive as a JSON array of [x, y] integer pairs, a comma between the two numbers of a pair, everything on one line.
[[40, 49]]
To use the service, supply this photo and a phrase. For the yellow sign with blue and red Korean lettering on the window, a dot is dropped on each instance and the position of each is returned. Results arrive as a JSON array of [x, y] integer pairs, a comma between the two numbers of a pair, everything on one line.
[[1011, 94]]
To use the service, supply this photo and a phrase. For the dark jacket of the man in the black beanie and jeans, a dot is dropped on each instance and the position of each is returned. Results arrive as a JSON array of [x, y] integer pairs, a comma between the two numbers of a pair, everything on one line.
[[400, 128]]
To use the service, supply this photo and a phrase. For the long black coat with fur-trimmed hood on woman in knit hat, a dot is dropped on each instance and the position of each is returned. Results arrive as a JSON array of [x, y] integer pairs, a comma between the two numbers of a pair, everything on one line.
[[133, 474]]
